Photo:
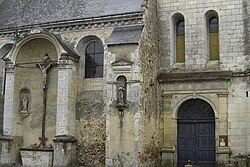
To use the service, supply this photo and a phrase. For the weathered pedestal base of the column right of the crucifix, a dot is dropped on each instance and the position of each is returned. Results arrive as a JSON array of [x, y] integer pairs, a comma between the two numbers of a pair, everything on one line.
[[65, 151]]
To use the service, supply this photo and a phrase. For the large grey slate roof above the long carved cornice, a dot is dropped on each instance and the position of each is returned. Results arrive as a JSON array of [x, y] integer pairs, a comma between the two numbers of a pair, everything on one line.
[[18, 13]]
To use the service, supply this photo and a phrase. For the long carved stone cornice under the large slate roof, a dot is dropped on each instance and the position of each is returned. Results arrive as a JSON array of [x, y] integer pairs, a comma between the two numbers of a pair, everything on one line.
[[81, 24]]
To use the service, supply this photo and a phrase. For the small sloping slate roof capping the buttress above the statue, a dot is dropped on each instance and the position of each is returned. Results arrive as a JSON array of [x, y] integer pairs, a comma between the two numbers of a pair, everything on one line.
[[125, 35]]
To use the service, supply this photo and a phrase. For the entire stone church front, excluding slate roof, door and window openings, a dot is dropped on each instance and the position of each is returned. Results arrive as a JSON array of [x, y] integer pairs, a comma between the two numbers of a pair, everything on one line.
[[131, 115]]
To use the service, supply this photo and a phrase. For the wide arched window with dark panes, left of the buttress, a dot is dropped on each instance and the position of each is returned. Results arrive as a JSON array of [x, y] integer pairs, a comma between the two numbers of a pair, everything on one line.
[[94, 60]]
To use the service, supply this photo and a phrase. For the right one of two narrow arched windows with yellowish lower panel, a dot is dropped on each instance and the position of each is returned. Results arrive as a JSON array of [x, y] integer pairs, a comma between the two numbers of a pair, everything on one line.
[[213, 26]]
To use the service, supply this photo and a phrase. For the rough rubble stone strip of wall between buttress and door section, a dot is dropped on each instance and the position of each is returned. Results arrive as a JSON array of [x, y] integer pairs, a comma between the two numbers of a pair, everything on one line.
[[149, 100]]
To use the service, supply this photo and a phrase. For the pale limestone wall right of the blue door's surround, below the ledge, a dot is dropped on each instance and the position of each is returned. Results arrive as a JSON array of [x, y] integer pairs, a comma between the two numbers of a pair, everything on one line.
[[238, 107]]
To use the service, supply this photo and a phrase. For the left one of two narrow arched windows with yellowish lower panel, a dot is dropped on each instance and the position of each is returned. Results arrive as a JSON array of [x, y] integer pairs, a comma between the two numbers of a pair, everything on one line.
[[180, 40]]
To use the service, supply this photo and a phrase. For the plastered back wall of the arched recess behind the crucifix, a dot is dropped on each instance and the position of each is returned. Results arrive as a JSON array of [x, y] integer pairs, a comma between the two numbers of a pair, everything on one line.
[[28, 91]]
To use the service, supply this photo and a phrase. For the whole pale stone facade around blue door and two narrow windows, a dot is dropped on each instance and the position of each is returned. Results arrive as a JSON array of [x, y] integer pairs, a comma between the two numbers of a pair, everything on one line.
[[228, 95]]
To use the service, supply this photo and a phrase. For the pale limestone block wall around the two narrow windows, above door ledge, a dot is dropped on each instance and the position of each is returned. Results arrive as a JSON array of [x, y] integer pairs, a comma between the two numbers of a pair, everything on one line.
[[231, 36]]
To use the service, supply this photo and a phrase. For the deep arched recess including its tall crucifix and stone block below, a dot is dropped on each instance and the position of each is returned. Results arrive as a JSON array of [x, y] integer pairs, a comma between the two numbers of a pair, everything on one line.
[[37, 105]]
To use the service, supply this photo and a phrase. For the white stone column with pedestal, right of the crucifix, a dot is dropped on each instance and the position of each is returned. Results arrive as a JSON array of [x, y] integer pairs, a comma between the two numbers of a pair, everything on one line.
[[65, 142]]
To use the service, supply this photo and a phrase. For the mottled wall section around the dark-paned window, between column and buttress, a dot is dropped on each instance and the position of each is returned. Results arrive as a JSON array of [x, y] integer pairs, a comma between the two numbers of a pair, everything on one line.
[[90, 114]]
